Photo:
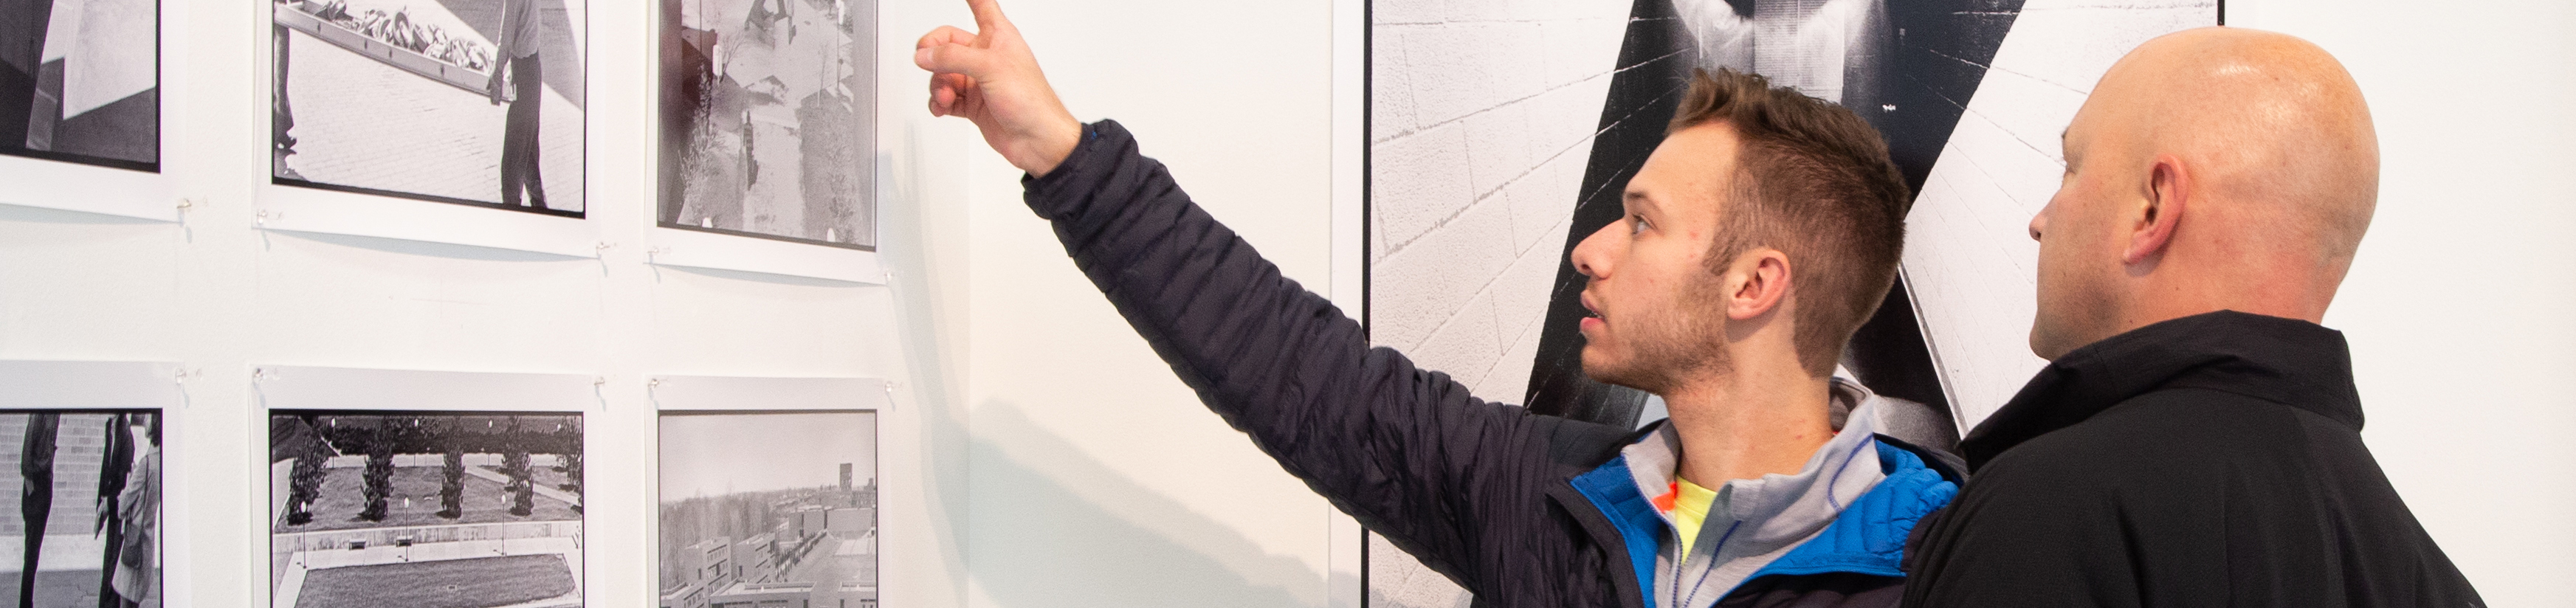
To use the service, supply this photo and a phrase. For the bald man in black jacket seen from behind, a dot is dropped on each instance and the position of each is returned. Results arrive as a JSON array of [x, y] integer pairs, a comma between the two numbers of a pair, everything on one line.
[[2196, 437]]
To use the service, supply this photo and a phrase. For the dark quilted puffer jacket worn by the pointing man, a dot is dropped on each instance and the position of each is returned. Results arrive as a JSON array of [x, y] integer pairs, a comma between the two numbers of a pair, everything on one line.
[[1477, 491]]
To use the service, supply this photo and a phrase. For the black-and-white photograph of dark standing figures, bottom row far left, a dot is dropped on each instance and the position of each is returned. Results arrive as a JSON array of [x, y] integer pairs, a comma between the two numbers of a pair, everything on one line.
[[86, 522]]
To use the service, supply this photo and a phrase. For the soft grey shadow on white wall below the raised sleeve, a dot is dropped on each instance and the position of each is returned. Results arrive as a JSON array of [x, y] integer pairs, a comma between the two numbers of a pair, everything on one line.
[[1042, 542]]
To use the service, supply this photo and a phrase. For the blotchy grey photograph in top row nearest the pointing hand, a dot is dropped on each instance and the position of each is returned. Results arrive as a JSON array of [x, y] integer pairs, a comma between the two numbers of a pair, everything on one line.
[[769, 120]]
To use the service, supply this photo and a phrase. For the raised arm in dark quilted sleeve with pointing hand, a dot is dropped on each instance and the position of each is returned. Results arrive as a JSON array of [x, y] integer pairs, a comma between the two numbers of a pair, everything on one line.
[[1408, 452]]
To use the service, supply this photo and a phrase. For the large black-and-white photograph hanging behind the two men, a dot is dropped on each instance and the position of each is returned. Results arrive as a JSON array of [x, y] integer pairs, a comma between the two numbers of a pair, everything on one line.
[[1503, 135]]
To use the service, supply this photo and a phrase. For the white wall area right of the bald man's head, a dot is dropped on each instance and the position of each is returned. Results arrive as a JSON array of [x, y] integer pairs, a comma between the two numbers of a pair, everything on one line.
[[2459, 300]]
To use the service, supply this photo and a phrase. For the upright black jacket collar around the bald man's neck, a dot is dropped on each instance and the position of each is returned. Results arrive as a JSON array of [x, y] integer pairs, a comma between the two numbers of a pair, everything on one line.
[[2232, 352]]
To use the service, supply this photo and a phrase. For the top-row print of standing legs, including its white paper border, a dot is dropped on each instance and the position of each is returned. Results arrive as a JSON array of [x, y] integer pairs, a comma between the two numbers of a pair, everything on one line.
[[419, 120]]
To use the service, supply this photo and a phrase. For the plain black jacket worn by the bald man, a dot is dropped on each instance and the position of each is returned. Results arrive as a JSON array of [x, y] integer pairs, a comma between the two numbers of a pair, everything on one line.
[[2209, 460]]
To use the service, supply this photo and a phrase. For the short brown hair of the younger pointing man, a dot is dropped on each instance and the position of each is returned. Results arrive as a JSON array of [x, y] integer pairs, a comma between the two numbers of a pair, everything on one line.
[[1815, 184]]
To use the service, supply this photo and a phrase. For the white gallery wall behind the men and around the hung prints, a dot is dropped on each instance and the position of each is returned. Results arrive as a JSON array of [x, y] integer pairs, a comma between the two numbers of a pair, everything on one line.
[[1037, 452]]
